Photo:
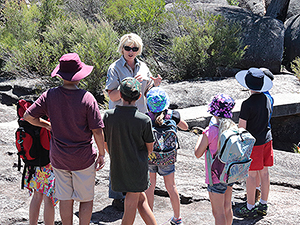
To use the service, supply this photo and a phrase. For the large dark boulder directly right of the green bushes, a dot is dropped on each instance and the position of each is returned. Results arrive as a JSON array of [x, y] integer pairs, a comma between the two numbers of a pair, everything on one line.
[[263, 36]]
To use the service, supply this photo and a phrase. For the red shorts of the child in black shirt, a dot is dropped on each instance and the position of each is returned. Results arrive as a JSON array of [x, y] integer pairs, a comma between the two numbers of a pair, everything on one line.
[[262, 155]]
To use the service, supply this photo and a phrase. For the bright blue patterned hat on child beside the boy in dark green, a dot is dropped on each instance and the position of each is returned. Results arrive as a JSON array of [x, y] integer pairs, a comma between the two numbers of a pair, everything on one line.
[[157, 99]]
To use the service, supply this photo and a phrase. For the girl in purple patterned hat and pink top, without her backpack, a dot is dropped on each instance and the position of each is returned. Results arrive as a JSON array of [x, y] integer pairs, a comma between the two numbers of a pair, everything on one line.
[[219, 193]]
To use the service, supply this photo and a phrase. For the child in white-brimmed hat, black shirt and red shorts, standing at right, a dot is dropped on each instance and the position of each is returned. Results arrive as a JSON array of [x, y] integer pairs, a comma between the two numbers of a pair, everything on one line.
[[254, 117]]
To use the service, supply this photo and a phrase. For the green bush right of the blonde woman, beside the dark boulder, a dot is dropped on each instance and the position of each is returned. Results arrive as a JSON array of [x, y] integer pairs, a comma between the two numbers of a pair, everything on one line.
[[201, 44]]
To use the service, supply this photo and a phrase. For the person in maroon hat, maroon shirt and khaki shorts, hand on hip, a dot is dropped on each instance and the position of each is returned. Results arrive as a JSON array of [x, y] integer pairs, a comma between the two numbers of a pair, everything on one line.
[[75, 119]]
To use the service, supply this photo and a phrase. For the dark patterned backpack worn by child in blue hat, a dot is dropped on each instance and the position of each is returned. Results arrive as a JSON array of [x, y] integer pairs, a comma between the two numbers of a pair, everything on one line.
[[165, 141]]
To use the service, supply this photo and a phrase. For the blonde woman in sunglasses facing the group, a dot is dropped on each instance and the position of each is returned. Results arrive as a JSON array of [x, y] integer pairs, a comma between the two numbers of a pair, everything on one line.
[[128, 65]]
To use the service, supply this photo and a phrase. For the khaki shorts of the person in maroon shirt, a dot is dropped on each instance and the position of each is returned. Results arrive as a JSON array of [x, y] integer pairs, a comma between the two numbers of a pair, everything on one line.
[[77, 185]]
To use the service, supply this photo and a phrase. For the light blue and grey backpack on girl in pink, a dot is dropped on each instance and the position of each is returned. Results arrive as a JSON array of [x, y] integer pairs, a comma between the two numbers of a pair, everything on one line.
[[232, 162]]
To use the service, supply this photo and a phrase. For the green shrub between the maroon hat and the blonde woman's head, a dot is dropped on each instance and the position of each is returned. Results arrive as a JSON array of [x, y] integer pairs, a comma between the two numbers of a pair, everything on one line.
[[98, 47]]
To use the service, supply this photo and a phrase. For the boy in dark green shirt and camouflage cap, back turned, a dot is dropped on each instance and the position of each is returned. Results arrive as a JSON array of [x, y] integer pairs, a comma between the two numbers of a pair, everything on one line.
[[129, 141]]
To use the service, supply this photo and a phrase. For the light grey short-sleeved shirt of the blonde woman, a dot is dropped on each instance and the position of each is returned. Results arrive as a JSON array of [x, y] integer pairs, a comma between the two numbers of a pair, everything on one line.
[[119, 70]]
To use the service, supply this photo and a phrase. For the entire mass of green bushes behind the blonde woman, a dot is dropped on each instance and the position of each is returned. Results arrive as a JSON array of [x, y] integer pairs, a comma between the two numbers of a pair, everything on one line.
[[179, 44]]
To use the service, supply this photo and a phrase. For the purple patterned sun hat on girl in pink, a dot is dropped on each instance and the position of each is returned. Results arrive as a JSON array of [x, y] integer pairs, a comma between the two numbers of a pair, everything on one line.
[[221, 106]]
